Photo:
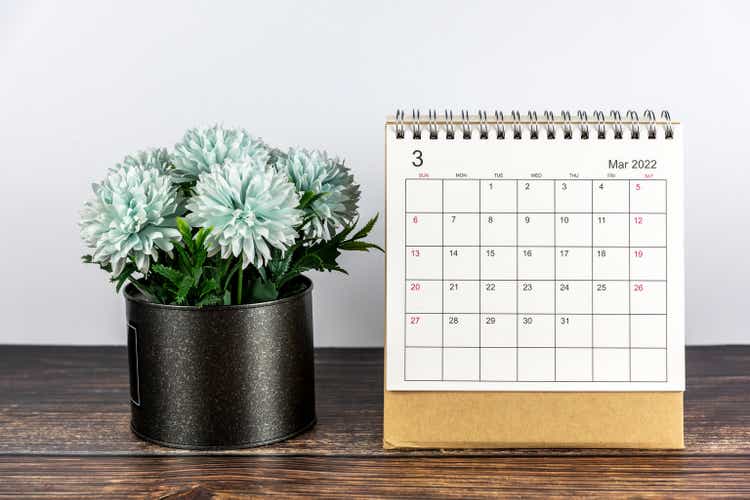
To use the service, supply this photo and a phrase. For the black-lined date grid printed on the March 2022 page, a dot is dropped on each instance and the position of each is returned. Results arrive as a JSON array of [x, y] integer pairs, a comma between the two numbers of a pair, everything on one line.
[[479, 287]]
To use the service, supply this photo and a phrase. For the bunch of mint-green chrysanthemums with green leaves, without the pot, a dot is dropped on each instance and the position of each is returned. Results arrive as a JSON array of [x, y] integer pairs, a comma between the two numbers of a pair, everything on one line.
[[223, 219]]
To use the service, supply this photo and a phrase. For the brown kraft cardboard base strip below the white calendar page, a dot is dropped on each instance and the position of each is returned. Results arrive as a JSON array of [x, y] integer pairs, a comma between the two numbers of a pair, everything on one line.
[[533, 420]]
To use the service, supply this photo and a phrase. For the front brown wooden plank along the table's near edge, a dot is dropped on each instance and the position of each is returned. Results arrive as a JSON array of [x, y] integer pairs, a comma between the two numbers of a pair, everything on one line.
[[374, 477]]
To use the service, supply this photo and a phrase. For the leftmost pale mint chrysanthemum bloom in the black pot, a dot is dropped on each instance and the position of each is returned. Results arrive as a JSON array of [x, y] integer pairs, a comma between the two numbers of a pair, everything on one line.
[[133, 215]]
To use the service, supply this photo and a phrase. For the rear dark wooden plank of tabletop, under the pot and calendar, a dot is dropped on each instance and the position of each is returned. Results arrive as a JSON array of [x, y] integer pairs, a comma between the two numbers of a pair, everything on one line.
[[74, 400]]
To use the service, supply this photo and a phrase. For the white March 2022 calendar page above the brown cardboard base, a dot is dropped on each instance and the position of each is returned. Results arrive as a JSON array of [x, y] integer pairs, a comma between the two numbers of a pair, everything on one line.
[[545, 264]]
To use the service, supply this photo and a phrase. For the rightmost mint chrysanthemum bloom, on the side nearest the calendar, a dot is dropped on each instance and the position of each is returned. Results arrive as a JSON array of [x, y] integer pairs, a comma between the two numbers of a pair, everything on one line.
[[314, 171]]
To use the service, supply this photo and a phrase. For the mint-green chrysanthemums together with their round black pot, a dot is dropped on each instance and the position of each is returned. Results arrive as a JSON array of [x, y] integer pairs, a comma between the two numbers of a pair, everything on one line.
[[210, 241]]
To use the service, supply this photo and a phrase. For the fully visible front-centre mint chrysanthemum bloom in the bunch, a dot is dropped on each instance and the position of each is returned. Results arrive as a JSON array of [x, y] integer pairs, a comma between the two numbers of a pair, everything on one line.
[[250, 207]]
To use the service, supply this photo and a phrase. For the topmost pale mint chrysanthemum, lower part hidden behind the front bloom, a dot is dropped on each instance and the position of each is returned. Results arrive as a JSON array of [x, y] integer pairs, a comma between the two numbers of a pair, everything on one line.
[[201, 149]]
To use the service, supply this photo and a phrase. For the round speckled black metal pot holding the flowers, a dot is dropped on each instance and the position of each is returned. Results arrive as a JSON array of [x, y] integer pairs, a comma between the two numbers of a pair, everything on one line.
[[221, 377]]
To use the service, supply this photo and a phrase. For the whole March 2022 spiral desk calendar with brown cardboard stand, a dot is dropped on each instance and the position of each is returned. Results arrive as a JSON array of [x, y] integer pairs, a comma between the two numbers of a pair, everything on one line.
[[534, 282]]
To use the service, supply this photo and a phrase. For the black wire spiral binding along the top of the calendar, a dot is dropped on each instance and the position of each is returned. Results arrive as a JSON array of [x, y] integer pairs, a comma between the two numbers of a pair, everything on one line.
[[553, 126]]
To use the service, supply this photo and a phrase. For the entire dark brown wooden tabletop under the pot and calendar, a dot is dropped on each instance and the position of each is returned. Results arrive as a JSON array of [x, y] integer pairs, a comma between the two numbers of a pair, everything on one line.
[[64, 432]]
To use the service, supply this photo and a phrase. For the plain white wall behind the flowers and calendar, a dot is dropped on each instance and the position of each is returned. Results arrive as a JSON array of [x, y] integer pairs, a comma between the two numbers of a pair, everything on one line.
[[84, 83]]
